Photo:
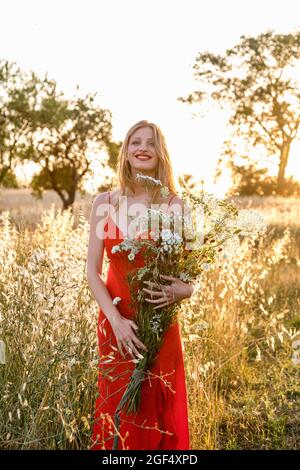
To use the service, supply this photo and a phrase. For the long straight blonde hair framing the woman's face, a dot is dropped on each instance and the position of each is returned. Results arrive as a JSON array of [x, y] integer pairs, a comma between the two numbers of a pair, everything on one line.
[[163, 171]]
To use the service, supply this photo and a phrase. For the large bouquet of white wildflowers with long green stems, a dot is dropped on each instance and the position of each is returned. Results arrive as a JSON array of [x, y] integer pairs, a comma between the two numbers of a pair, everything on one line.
[[183, 245]]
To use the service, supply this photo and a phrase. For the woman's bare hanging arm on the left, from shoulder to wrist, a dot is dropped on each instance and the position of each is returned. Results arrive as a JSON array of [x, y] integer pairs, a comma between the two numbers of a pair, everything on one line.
[[95, 258]]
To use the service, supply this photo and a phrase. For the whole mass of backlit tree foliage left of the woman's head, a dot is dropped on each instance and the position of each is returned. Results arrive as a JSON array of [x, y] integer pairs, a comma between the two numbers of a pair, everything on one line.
[[62, 135]]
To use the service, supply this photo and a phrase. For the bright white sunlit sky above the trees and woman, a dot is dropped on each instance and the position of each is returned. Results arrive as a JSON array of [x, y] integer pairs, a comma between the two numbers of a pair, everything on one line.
[[138, 55]]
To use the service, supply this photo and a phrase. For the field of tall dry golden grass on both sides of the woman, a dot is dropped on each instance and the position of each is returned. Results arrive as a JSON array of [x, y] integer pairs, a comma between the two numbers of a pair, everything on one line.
[[239, 332]]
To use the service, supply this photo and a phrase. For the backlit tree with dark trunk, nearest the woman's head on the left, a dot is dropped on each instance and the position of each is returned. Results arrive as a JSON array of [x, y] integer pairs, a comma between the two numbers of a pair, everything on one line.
[[69, 133]]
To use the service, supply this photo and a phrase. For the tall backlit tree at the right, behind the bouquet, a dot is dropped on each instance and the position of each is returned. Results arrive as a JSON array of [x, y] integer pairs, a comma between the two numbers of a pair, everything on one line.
[[252, 79]]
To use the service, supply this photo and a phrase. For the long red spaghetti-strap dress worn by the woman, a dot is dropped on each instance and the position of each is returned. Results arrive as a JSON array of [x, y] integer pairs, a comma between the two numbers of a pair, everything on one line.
[[162, 420]]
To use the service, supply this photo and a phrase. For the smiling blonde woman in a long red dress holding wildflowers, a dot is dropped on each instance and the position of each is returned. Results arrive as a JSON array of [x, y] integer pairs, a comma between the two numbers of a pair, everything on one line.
[[162, 420]]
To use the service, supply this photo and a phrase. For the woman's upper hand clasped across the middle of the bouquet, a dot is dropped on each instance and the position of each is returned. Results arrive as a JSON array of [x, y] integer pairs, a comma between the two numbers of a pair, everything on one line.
[[177, 290]]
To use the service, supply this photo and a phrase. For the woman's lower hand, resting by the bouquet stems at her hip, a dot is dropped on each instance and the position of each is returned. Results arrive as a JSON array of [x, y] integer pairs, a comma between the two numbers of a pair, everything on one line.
[[123, 330]]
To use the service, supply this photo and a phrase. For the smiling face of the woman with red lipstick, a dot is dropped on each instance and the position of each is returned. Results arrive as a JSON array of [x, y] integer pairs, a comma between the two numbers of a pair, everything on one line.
[[141, 151]]
